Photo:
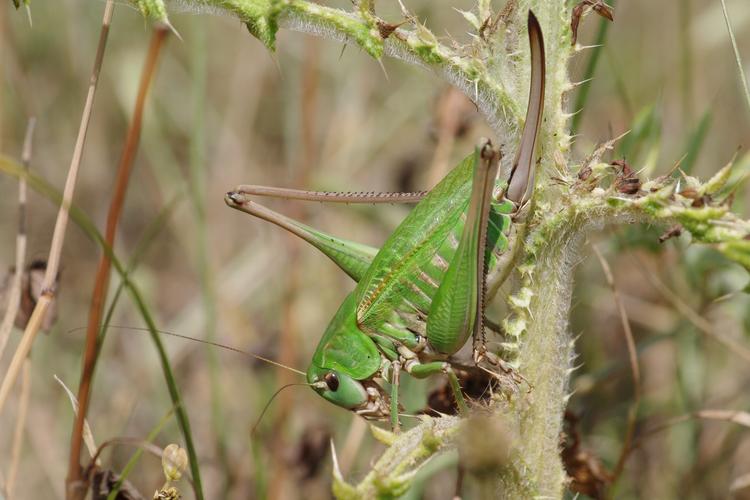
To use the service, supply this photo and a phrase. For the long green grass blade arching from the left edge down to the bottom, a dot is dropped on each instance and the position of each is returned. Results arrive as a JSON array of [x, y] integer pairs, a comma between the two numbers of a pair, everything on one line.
[[81, 219]]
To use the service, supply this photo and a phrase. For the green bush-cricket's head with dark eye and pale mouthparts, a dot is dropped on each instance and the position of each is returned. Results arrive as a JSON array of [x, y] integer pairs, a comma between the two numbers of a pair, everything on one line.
[[364, 397]]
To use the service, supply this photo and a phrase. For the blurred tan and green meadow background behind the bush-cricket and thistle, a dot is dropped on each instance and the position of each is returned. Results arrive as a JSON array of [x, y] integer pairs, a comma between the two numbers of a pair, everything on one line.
[[224, 111]]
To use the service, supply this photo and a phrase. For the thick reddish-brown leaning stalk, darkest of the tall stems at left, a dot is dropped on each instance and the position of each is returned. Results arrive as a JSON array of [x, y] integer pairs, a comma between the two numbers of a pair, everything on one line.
[[75, 487]]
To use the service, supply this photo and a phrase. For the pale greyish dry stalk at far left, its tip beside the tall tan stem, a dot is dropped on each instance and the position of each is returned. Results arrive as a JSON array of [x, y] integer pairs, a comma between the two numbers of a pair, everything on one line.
[[15, 289]]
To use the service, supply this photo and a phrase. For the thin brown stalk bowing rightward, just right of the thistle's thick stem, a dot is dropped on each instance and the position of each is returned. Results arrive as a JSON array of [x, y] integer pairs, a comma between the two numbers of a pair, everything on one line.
[[627, 445]]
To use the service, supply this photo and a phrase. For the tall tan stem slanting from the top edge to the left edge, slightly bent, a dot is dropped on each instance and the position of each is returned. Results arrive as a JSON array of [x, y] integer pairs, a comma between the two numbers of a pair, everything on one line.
[[58, 237]]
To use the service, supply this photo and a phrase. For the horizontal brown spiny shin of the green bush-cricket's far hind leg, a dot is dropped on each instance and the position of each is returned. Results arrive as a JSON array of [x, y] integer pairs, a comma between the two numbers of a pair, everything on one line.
[[329, 196]]
